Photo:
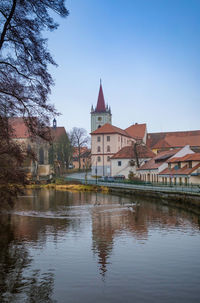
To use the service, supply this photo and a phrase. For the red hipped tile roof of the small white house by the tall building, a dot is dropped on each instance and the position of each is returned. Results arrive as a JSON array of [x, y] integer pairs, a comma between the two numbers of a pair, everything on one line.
[[128, 152]]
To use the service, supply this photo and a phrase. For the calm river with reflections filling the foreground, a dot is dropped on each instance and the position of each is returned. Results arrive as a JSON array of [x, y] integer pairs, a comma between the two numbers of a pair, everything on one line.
[[59, 246]]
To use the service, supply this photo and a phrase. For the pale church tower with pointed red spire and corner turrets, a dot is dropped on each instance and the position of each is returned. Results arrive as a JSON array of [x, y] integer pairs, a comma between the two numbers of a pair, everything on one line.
[[102, 113]]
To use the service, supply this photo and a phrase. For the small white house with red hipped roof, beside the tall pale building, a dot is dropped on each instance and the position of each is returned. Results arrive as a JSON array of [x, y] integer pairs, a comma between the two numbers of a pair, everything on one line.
[[128, 158]]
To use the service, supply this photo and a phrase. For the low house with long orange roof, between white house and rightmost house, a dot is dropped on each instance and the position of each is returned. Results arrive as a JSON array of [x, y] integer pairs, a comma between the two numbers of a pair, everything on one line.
[[151, 170]]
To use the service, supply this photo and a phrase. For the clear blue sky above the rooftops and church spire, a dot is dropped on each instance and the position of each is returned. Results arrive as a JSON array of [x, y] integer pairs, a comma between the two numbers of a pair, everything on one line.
[[147, 53]]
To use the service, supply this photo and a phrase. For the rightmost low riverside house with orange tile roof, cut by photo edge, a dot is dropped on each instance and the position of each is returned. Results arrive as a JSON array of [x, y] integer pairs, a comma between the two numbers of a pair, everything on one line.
[[182, 170]]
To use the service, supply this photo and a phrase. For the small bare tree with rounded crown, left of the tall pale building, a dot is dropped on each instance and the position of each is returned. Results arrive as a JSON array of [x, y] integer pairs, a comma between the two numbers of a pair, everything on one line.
[[79, 139]]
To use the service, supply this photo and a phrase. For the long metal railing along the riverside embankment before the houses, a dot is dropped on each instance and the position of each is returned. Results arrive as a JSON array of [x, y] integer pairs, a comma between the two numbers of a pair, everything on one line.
[[159, 187]]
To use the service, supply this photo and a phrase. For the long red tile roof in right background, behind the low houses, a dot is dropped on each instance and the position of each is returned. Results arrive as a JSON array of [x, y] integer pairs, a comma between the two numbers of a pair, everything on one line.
[[174, 139]]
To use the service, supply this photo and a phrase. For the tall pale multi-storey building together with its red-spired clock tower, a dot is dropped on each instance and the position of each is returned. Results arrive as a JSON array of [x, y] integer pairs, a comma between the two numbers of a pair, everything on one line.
[[107, 139]]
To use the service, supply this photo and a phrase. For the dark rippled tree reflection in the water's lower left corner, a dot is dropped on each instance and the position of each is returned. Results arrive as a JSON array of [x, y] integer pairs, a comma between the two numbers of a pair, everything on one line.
[[14, 261]]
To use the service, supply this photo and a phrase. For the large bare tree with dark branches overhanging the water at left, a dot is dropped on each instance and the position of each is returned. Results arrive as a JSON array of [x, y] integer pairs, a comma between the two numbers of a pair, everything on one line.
[[25, 82]]
